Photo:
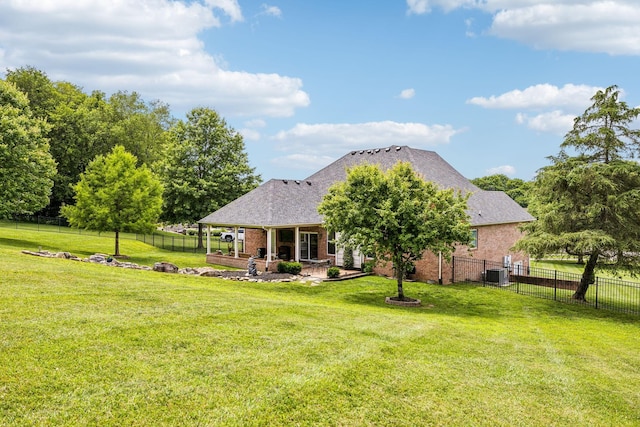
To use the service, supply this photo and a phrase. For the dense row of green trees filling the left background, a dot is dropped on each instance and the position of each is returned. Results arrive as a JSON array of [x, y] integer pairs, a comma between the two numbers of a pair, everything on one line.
[[52, 134]]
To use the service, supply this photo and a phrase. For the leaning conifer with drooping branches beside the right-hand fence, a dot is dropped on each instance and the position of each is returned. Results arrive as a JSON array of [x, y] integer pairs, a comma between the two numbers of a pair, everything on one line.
[[589, 202]]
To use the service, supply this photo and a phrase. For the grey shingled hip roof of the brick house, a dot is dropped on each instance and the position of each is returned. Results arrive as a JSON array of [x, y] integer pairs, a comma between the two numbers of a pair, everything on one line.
[[289, 203]]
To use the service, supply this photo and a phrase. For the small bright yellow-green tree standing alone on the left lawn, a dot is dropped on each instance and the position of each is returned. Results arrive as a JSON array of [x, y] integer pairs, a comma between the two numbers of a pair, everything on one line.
[[114, 195]]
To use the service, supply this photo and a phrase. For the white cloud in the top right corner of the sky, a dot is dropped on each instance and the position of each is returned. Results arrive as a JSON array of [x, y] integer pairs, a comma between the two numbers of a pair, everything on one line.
[[608, 26]]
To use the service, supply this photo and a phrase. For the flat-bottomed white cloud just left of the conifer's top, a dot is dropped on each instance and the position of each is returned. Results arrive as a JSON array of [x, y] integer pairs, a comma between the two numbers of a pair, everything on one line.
[[540, 96]]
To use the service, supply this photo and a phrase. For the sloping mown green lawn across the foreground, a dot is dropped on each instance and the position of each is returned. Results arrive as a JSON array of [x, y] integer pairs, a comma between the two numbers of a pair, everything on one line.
[[84, 344]]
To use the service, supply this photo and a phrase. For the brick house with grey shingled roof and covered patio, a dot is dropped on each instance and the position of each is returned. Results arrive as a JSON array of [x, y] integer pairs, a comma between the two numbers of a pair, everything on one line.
[[281, 220]]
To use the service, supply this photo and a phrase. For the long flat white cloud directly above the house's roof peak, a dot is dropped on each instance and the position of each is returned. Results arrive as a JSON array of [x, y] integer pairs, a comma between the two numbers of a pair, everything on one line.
[[333, 139]]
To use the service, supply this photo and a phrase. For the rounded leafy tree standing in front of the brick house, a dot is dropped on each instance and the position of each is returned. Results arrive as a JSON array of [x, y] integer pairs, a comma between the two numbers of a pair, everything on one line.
[[395, 215]]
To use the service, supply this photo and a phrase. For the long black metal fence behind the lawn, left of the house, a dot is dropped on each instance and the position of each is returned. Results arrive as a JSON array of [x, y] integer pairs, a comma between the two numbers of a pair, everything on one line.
[[164, 240]]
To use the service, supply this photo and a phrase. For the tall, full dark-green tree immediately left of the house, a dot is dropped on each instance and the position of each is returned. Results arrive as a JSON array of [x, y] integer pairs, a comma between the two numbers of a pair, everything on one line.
[[204, 168]]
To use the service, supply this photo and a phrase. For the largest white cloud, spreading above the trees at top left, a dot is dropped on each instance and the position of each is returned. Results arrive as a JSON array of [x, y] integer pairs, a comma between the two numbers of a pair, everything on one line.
[[148, 46]]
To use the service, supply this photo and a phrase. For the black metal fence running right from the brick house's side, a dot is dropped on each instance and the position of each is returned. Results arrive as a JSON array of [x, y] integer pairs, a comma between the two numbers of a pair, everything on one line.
[[605, 293]]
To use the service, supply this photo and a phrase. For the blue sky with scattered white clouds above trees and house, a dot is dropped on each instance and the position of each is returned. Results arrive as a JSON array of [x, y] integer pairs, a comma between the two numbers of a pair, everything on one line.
[[490, 85]]
